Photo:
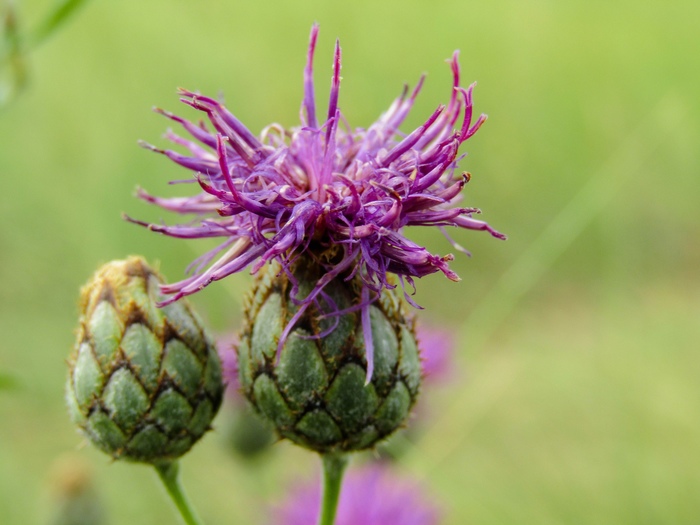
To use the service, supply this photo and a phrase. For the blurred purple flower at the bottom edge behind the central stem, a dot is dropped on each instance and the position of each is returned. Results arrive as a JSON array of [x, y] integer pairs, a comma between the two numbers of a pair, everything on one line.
[[370, 496]]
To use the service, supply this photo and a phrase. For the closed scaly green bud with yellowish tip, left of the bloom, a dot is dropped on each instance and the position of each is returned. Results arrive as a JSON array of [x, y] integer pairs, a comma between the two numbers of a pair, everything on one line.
[[145, 382]]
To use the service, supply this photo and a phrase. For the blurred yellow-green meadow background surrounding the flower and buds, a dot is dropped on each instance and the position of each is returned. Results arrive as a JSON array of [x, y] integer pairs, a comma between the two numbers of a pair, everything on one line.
[[577, 399]]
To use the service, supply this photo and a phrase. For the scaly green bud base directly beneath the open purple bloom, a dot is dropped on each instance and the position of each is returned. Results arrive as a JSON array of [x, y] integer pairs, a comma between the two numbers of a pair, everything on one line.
[[317, 393]]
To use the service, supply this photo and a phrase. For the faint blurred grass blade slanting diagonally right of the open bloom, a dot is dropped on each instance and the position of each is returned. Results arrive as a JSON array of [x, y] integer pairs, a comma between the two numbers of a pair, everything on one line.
[[660, 124]]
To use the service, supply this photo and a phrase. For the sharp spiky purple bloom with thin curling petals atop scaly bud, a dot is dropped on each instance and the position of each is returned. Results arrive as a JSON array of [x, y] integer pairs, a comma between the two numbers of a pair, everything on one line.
[[339, 195]]
